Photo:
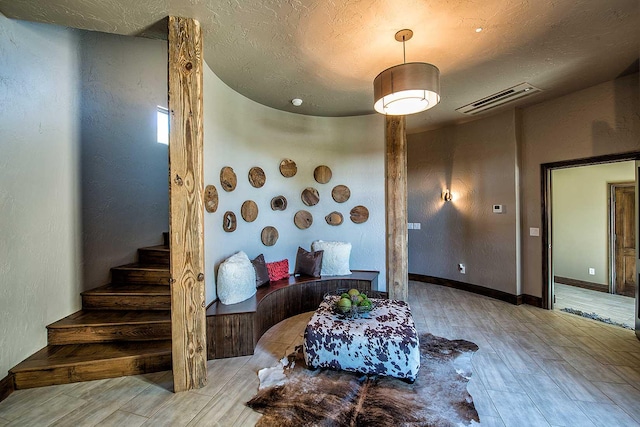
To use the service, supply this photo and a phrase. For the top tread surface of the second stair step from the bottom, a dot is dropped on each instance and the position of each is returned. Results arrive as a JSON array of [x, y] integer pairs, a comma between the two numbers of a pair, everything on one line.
[[111, 318]]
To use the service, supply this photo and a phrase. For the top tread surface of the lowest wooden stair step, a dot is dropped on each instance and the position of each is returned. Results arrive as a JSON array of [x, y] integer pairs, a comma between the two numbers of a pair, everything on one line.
[[61, 356]]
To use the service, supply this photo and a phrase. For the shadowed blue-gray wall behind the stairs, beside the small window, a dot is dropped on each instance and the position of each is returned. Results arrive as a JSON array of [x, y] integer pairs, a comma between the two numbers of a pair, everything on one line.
[[125, 193]]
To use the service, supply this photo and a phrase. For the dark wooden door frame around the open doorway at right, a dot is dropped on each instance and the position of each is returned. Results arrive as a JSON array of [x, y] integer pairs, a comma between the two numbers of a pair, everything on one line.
[[545, 177]]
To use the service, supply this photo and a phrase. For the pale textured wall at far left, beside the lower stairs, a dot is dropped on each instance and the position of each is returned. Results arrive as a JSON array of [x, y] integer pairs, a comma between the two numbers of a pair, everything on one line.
[[39, 184]]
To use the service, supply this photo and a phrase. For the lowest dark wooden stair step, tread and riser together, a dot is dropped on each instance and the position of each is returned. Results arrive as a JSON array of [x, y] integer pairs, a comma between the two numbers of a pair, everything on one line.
[[63, 364]]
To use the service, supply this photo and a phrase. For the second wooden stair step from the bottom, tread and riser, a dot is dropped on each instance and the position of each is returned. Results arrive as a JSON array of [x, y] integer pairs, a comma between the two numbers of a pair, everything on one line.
[[88, 326]]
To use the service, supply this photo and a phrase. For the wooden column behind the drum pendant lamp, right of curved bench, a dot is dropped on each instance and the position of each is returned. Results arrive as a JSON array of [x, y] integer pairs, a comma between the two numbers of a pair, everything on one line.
[[396, 203]]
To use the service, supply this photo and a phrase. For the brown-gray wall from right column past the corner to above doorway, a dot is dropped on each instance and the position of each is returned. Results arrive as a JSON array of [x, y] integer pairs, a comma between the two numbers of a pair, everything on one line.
[[477, 160]]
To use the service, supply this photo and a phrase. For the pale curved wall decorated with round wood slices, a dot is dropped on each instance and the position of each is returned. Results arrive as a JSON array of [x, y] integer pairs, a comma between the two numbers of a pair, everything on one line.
[[241, 133]]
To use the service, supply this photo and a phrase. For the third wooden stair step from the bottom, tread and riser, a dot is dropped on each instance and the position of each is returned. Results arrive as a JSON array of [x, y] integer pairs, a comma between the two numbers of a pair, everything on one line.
[[127, 297]]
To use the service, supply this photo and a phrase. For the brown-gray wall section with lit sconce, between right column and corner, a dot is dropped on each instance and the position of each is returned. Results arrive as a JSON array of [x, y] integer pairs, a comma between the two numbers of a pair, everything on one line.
[[477, 162]]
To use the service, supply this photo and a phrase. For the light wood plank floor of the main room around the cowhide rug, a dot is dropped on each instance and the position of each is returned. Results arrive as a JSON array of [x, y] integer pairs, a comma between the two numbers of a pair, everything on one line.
[[534, 368]]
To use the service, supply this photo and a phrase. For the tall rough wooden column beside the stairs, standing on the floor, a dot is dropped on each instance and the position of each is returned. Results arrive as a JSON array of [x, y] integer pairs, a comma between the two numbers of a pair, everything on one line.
[[186, 205]]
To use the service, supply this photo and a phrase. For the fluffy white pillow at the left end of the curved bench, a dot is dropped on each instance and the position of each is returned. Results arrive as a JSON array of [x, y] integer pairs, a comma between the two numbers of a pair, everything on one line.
[[236, 279]]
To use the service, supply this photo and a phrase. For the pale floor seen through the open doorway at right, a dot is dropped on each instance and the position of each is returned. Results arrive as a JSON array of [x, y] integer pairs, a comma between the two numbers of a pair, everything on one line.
[[618, 308]]
